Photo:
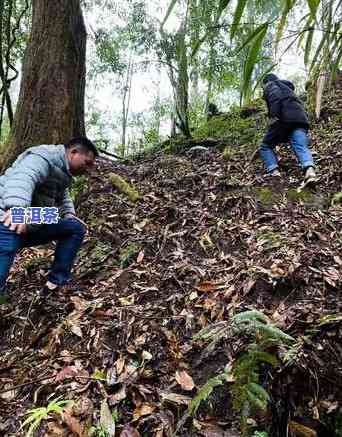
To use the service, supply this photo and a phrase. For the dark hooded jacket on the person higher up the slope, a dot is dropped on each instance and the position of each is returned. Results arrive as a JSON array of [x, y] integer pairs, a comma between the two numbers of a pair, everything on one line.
[[283, 104]]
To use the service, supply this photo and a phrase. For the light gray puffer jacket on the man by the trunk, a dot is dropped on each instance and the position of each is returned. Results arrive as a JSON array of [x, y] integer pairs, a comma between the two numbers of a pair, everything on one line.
[[40, 176]]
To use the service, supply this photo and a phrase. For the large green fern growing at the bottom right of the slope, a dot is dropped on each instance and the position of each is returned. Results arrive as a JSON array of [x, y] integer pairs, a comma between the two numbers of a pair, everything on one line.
[[249, 396]]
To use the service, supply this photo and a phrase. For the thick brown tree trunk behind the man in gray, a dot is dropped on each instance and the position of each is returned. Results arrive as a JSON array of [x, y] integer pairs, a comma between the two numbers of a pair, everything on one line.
[[50, 109]]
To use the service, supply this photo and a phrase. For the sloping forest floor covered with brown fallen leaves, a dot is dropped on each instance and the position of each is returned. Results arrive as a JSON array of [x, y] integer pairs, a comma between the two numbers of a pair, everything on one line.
[[209, 237]]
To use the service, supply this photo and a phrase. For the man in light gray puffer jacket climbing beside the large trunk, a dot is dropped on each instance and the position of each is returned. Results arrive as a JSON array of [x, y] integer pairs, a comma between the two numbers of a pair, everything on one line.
[[35, 206]]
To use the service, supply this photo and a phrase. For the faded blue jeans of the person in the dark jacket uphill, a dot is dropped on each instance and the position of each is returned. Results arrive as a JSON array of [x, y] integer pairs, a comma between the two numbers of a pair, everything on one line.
[[300, 146]]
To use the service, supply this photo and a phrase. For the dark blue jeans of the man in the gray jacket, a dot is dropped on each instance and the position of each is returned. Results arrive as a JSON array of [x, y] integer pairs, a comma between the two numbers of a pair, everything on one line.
[[68, 233]]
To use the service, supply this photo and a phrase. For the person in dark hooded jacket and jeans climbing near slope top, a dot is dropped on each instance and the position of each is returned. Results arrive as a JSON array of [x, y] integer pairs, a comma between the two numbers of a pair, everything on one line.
[[289, 122]]
